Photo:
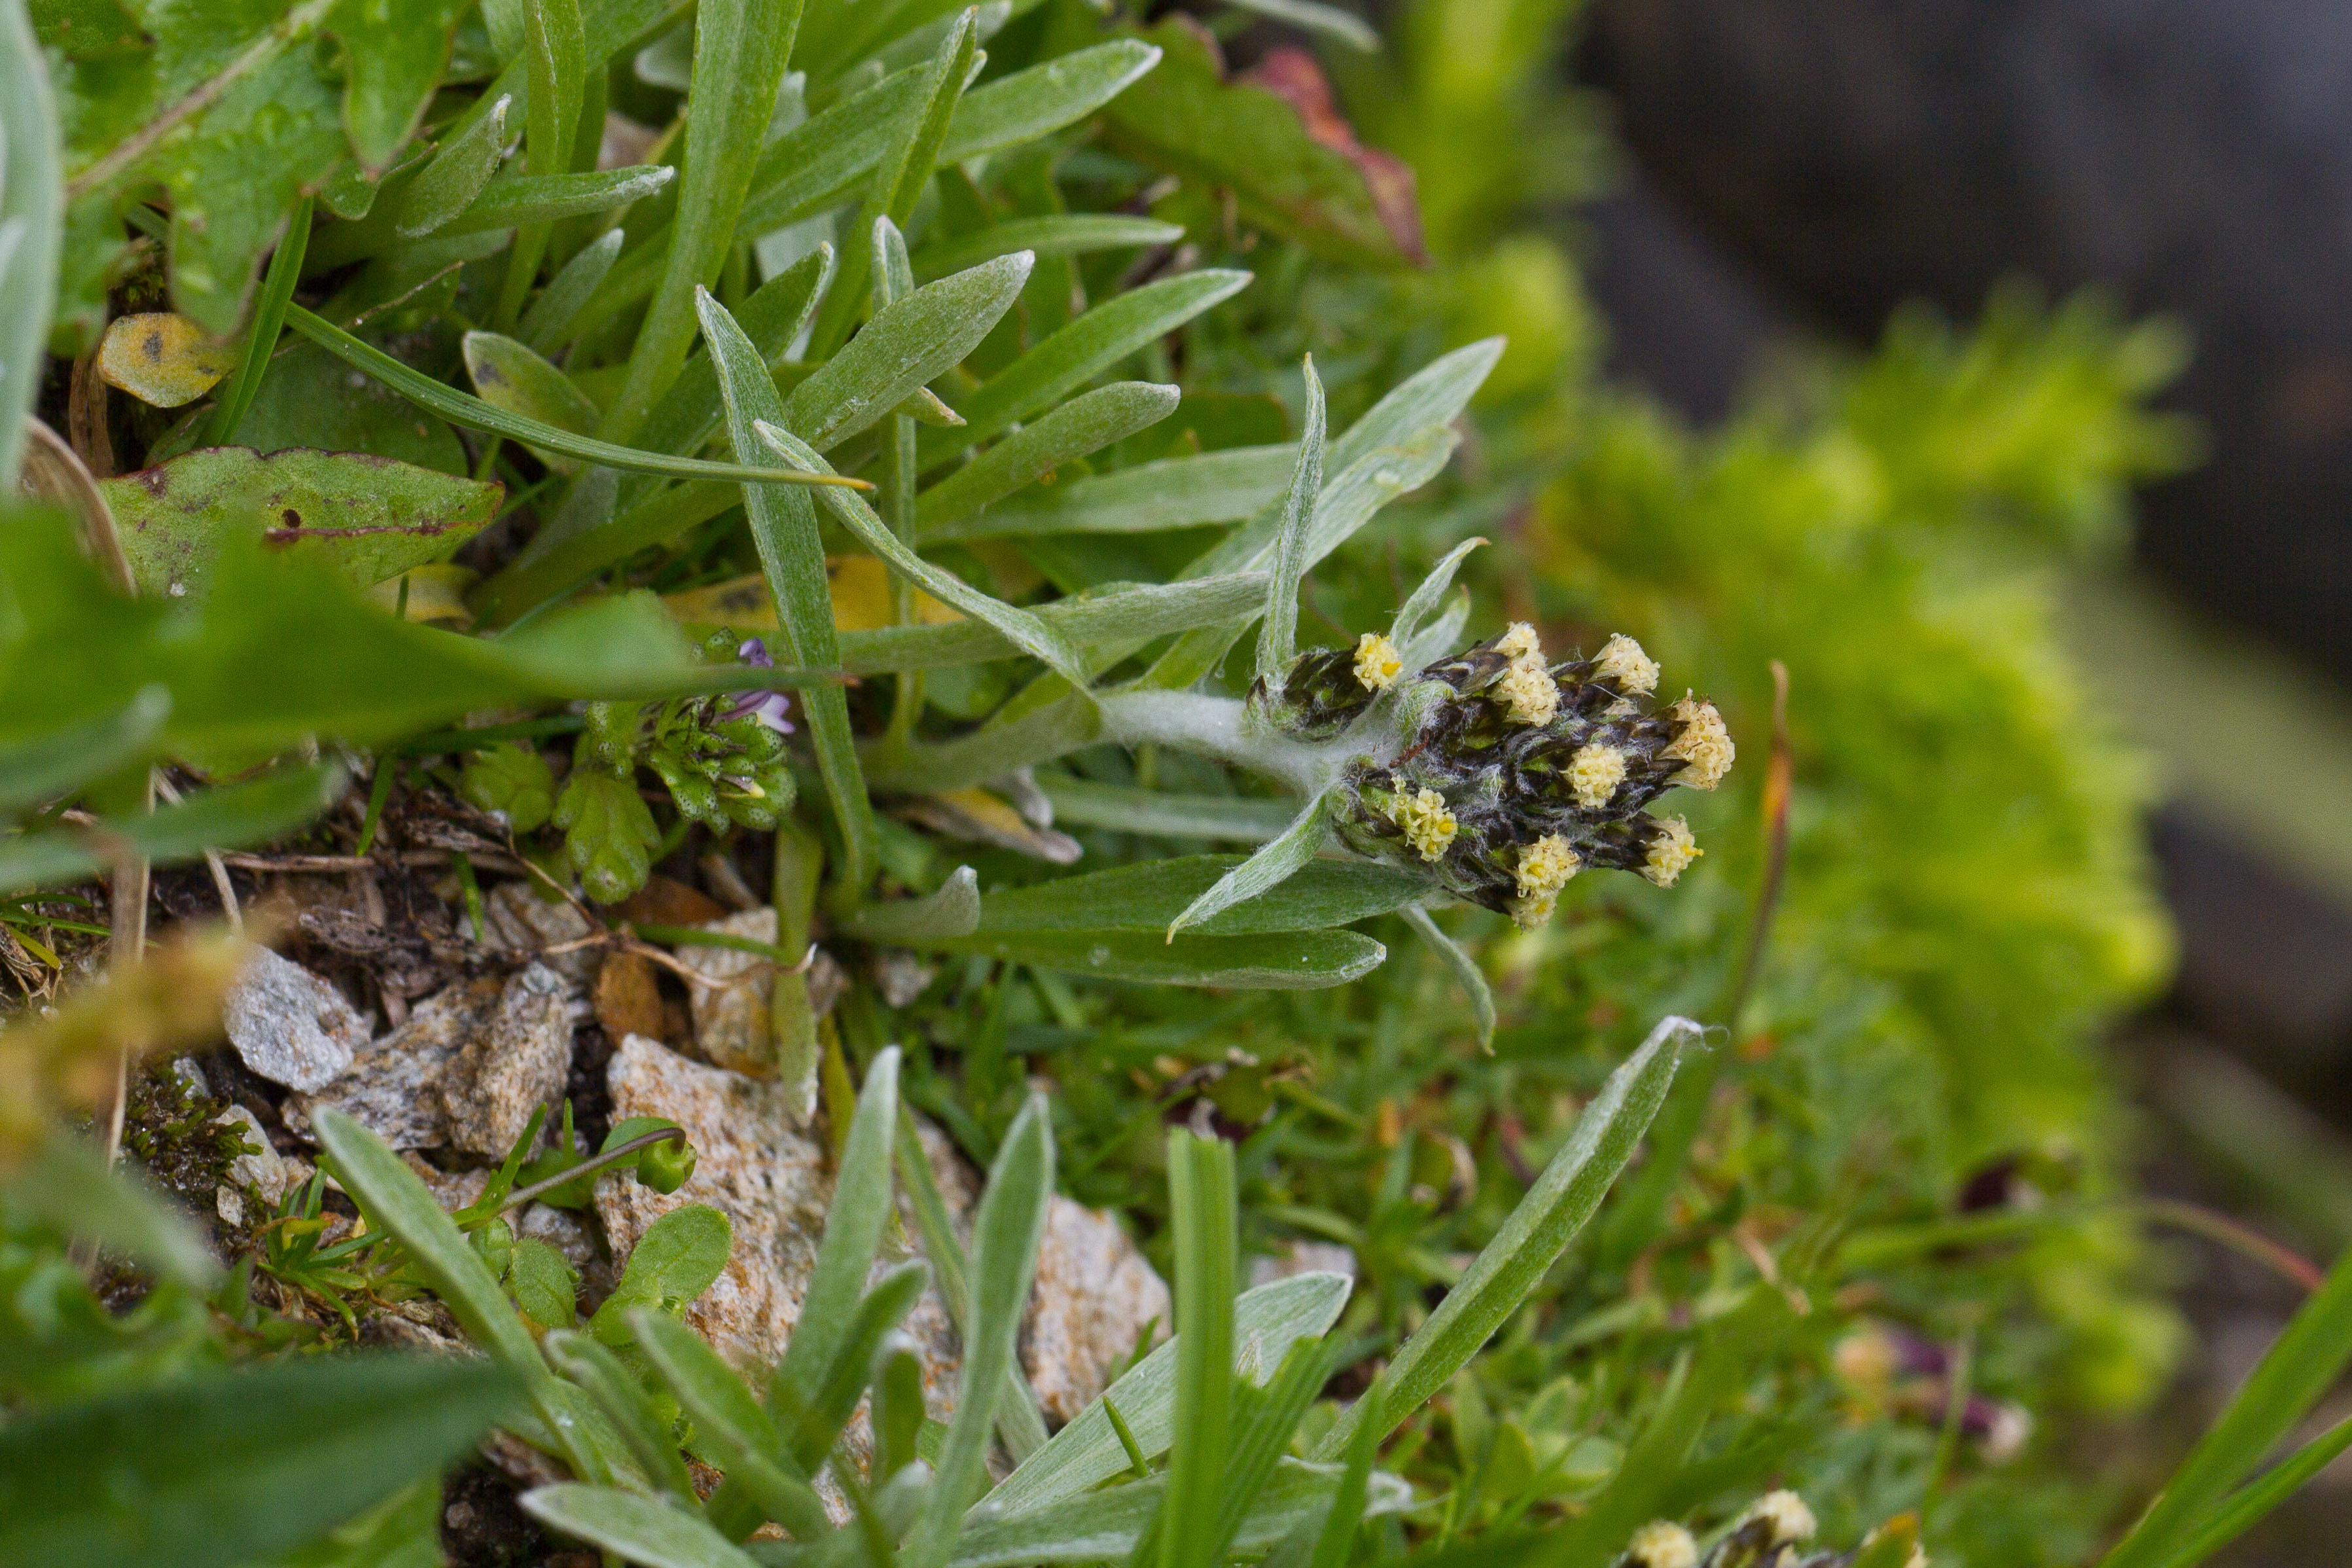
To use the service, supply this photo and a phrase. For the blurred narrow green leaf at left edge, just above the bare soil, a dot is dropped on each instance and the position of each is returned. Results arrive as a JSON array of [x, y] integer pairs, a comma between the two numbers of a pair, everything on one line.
[[227, 817]]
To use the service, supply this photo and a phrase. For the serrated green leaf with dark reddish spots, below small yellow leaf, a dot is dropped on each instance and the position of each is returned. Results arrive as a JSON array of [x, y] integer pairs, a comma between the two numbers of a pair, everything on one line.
[[366, 518]]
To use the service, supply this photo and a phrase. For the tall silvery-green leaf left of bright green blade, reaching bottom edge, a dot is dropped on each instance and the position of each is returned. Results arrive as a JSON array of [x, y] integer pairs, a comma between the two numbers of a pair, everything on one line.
[[1005, 1233]]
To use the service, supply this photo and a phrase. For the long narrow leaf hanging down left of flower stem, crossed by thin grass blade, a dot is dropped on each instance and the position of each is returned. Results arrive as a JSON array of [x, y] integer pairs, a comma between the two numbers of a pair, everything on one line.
[[794, 556]]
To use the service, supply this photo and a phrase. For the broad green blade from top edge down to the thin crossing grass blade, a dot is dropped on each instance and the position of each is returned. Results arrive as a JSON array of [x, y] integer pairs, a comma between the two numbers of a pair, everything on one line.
[[740, 55]]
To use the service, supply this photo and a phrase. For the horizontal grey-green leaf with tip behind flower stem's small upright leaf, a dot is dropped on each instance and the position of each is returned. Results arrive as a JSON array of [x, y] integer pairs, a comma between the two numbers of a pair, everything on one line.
[[1144, 500]]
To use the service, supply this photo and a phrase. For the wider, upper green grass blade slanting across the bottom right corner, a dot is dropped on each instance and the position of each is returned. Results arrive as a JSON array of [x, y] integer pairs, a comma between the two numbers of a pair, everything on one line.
[[2301, 1365]]
